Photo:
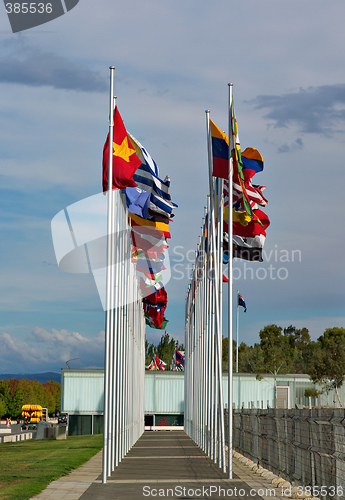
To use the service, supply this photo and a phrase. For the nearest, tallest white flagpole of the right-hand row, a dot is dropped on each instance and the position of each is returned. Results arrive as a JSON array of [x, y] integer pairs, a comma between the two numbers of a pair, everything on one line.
[[230, 368]]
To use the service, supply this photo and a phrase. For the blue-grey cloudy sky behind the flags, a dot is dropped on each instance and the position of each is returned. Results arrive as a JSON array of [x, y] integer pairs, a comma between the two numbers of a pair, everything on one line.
[[173, 61]]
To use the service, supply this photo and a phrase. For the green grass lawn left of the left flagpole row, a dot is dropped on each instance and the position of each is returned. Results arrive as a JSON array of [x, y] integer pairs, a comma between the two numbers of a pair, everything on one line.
[[27, 467]]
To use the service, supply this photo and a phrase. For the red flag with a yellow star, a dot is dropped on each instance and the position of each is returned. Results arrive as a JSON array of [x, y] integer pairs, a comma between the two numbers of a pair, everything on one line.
[[125, 159]]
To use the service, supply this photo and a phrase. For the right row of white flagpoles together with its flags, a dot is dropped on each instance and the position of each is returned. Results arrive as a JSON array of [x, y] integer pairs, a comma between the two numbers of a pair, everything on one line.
[[229, 230]]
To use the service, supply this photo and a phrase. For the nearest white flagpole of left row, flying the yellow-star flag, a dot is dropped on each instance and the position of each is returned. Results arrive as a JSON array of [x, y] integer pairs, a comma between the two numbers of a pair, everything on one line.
[[110, 272]]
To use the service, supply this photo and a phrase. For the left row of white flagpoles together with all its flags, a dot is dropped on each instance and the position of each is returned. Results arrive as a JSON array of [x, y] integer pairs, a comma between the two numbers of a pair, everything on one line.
[[139, 211]]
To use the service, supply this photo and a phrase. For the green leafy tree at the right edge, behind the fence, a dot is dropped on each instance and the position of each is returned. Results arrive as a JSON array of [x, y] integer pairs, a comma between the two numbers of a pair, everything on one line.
[[327, 366]]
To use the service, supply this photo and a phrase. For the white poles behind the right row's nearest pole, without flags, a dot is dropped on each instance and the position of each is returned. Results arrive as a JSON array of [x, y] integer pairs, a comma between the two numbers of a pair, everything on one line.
[[203, 414]]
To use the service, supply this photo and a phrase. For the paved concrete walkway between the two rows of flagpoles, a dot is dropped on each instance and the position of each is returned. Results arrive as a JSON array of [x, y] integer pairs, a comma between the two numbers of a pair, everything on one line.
[[161, 464]]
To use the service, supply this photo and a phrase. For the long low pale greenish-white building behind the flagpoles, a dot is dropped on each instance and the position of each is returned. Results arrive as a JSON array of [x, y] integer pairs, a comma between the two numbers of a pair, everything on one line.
[[82, 396]]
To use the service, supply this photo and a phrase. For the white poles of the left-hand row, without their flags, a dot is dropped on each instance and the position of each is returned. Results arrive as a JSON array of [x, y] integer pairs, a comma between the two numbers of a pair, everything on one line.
[[124, 357]]
